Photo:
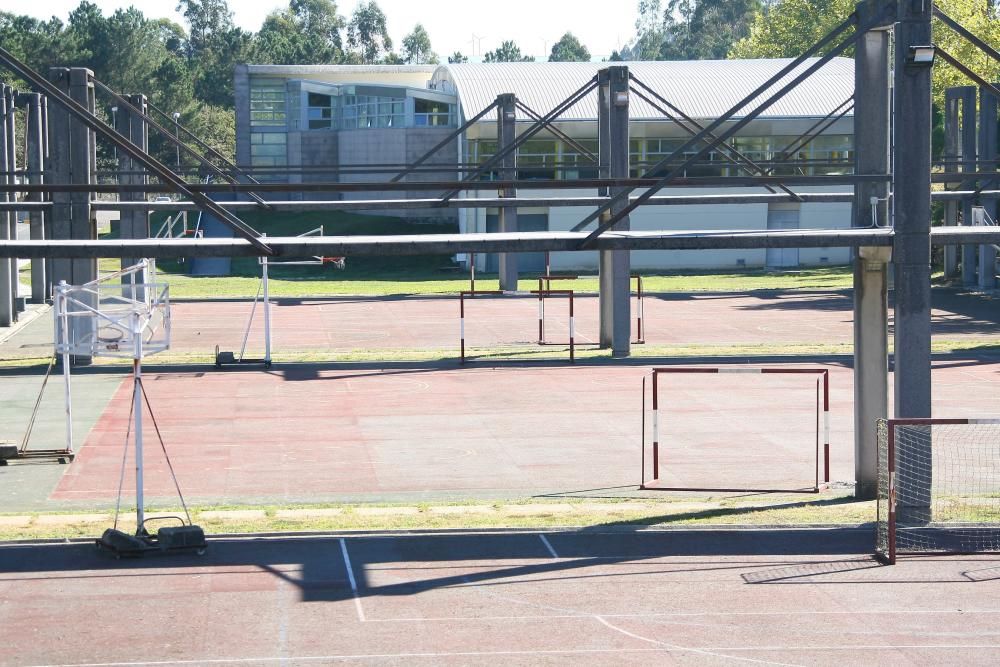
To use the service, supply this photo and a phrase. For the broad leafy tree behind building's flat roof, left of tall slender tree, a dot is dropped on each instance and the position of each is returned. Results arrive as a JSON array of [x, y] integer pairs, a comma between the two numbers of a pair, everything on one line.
[[308, 32]]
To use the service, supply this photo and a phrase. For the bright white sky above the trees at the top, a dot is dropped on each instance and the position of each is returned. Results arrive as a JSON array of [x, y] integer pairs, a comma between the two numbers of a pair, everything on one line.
[[470, 26]]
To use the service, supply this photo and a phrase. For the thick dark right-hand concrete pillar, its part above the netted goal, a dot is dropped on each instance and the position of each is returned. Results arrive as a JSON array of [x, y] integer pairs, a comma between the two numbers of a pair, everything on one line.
[[912, 210]]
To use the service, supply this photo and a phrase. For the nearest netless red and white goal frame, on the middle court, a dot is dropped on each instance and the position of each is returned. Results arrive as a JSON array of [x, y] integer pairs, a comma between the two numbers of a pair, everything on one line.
[[823, 410]]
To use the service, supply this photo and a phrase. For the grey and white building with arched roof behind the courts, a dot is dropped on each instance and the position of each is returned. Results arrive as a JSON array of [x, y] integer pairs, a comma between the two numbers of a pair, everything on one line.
[[332, 121]]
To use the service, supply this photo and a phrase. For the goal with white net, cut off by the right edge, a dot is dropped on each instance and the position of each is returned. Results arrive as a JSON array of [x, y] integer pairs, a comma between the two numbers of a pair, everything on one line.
[[938, 487]]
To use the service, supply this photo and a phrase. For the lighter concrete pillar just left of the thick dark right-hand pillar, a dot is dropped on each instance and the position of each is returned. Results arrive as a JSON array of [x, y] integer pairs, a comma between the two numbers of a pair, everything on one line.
[[871, 312]]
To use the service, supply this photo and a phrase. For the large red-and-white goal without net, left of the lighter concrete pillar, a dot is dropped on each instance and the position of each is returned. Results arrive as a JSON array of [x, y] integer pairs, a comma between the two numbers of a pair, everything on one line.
[[822, 414]]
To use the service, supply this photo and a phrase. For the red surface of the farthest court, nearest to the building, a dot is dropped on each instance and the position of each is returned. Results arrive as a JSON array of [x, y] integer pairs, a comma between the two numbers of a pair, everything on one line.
[[350, 323]]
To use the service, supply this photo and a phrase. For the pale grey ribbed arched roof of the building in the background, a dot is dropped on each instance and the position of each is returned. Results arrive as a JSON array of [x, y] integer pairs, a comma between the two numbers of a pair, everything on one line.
[[701, 88]]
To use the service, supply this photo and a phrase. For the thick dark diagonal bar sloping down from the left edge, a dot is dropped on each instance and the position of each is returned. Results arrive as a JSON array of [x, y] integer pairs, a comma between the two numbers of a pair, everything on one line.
[[148, 161]]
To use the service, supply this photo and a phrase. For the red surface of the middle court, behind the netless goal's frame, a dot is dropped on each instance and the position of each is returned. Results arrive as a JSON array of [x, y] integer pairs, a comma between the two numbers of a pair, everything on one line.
[[339, 433]]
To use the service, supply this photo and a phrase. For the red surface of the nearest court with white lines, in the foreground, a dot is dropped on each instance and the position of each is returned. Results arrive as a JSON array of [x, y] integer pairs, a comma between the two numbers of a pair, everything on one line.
[[589, 597]]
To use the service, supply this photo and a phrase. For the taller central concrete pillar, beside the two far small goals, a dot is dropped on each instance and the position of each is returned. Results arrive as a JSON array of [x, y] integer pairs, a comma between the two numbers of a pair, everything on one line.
[[615, 265]]
